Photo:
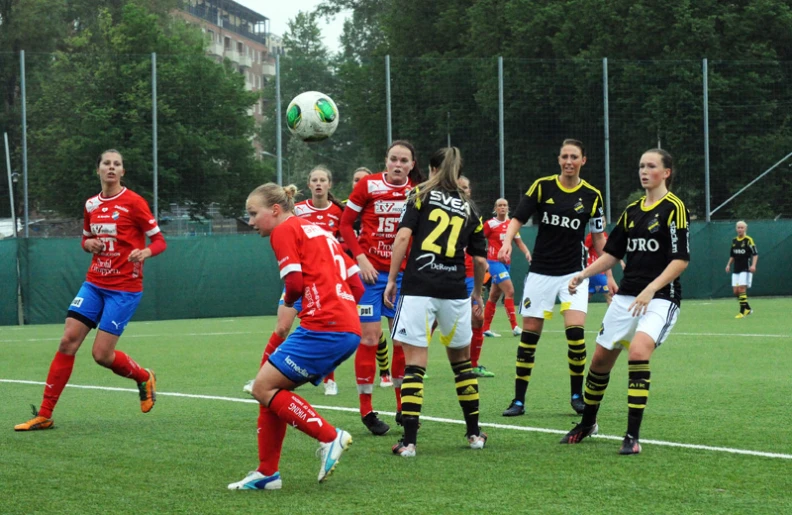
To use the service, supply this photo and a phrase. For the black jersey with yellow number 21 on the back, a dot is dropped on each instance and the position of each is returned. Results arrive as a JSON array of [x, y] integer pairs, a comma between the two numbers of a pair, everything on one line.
[[443, 225]]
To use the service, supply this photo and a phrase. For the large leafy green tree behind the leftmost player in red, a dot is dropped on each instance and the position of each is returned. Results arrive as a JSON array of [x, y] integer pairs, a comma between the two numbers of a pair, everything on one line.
[[96, 94]]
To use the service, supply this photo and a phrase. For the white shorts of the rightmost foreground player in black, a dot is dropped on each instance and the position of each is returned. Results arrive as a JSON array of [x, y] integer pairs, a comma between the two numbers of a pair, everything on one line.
[[619, 325]]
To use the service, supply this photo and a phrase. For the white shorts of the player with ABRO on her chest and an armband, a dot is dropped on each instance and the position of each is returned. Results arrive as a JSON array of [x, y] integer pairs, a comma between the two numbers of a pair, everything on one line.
[[540, 292]]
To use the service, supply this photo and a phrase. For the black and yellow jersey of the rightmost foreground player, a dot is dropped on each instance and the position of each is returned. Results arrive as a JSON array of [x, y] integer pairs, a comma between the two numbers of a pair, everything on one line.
[[649, 238]]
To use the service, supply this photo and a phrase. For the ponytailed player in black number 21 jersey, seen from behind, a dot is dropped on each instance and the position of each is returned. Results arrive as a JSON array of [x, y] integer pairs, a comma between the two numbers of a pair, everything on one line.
[[442, 224]]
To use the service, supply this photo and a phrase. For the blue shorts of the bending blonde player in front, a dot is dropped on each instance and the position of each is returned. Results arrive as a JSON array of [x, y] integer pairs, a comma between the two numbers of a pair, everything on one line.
[[308, 356]]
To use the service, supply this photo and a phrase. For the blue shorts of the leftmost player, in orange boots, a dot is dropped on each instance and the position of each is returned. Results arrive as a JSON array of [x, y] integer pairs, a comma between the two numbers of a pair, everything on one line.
[[110, 310]]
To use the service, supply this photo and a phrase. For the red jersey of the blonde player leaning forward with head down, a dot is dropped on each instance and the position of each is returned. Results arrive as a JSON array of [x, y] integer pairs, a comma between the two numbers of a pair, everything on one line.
[[328, 303]]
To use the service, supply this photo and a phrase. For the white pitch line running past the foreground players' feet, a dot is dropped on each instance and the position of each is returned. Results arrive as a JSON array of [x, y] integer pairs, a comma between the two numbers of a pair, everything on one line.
[[728, 450]]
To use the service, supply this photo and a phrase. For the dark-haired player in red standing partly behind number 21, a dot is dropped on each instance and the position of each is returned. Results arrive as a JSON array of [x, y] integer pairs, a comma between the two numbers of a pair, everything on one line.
[[378, 200]]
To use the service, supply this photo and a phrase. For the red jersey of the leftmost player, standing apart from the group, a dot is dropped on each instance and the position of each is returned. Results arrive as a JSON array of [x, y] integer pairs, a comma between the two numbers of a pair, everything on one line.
[[121, 223]]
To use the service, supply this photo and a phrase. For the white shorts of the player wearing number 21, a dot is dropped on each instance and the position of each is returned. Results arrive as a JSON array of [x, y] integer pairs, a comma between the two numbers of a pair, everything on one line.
[[415, 317]]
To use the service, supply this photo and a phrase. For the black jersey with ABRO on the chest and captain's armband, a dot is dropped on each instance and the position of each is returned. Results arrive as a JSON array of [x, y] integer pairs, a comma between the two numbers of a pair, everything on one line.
[[562, 215]]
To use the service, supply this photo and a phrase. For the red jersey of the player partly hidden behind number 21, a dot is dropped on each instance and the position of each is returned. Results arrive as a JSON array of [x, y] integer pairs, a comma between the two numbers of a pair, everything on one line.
[[380, 205]]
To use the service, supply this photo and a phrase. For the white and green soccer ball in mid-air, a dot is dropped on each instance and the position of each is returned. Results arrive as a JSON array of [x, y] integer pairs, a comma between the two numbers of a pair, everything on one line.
[[312, 116]]
